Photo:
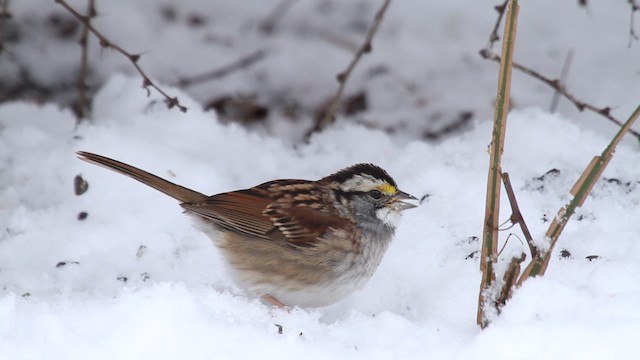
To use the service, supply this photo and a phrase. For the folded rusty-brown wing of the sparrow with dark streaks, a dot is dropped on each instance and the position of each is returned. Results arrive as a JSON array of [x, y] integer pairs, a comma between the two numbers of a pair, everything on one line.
[[268, 213]]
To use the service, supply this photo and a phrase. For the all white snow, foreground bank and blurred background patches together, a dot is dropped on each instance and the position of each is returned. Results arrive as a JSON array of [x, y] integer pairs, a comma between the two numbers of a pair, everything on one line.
[[136, 280]]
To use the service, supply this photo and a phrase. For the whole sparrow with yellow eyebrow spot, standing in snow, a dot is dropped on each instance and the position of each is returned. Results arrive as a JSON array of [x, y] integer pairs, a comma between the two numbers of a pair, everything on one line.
[[294, 242]]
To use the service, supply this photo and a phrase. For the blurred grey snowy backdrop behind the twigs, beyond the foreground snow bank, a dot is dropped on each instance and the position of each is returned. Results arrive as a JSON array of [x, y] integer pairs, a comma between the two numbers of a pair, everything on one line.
[[271, 65]]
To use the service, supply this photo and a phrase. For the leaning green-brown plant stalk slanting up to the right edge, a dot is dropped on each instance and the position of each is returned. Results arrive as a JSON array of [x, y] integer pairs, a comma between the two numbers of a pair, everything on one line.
[[580, 190]]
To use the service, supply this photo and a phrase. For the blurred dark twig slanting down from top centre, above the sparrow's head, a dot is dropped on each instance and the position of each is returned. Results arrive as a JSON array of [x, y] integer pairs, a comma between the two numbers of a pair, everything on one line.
[[344, 76]]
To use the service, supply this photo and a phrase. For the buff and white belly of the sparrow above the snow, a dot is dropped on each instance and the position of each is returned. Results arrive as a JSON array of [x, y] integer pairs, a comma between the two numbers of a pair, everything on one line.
[[305, 277]]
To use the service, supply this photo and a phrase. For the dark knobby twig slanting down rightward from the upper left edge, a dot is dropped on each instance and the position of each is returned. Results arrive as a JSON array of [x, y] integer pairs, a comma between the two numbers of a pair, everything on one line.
[[133, 58]]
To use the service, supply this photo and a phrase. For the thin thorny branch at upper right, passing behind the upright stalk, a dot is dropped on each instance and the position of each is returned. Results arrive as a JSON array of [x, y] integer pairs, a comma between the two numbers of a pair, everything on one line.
[[555, 84]]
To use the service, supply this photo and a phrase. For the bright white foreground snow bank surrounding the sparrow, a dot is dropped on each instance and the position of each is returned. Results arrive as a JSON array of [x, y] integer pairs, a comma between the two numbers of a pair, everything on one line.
[[177, 300]]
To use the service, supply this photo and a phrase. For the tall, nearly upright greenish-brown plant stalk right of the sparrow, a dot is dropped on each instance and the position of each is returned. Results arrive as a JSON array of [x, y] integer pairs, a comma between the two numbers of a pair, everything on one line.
[[492, 212]]
